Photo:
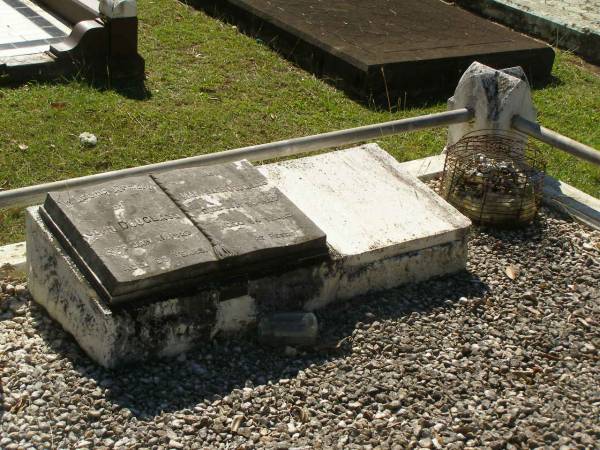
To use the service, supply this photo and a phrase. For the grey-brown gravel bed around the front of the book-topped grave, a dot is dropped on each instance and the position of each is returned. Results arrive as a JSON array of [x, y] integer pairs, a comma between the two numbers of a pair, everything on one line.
[[505, 355]]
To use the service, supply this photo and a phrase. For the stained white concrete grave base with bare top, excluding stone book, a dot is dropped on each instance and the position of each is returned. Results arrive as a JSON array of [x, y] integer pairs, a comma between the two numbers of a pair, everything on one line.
[[384, 228]]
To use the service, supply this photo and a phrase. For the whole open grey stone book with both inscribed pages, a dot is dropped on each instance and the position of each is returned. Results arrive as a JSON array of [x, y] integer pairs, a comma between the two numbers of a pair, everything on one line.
[[143, 236]]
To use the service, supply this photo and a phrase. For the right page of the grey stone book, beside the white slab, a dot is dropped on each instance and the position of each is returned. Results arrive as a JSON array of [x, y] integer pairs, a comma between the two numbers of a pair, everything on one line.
[[244, 217]]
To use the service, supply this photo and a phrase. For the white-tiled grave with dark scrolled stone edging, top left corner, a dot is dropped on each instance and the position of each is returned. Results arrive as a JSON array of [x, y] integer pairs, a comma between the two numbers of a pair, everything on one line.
[[48, 39]]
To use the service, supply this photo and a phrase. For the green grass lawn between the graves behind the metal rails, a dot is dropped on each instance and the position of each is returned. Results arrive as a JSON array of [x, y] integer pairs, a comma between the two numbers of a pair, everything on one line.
[[210, 88]]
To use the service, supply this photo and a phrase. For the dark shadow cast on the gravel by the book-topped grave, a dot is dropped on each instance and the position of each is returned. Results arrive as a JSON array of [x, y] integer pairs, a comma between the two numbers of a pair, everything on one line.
[[218, 367]]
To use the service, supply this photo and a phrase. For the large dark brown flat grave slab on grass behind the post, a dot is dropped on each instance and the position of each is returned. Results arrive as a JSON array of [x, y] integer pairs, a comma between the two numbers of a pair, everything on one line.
[[382, 49]]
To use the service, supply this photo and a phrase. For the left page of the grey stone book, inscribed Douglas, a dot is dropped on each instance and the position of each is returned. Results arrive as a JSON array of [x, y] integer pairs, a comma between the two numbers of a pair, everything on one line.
[[130, 235]]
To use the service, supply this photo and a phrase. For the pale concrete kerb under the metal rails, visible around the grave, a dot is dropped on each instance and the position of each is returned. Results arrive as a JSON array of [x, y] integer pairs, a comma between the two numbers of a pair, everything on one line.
[[558, 195]]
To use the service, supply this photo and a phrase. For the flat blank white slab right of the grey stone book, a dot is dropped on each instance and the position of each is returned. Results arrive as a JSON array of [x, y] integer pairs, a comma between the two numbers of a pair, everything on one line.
[[366, 205]]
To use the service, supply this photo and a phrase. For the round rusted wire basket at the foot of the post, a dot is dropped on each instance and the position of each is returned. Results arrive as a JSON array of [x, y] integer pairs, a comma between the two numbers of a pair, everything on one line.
[[494, 179]]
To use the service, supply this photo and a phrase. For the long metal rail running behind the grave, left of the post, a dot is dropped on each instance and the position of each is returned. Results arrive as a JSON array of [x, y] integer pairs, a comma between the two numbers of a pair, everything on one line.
[[35, 194]]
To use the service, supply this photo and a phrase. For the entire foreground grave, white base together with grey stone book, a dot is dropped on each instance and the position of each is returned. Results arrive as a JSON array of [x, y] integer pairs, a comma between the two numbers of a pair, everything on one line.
[[152, 265]]
